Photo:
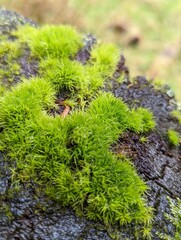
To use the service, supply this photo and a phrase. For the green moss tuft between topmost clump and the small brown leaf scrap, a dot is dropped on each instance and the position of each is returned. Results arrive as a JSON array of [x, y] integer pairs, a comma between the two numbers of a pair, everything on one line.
[[81, 81]]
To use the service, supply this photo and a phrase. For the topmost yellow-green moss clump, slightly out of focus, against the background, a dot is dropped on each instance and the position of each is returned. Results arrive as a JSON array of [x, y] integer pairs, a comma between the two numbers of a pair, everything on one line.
[[51, 41]]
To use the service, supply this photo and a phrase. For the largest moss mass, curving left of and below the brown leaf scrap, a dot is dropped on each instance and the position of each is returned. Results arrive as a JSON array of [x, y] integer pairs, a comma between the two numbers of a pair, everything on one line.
[[45, 146]]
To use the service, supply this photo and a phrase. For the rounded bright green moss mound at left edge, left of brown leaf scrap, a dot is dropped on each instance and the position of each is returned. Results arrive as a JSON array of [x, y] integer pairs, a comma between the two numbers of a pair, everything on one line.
[[25, 102]]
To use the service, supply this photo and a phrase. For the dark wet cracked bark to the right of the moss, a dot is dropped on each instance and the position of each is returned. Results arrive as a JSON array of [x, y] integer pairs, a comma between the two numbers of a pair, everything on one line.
[[155, 160]]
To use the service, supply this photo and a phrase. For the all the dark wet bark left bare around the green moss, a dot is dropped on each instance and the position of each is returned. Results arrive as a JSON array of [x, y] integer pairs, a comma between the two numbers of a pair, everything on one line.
[[27, 214]]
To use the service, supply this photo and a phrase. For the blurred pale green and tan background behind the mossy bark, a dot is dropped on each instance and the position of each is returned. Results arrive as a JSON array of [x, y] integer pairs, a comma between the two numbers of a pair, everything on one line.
[[147, 31]]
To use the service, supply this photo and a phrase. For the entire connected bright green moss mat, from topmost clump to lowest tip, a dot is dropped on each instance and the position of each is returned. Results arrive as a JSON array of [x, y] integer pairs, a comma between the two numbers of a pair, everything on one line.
[[71, 156]]
